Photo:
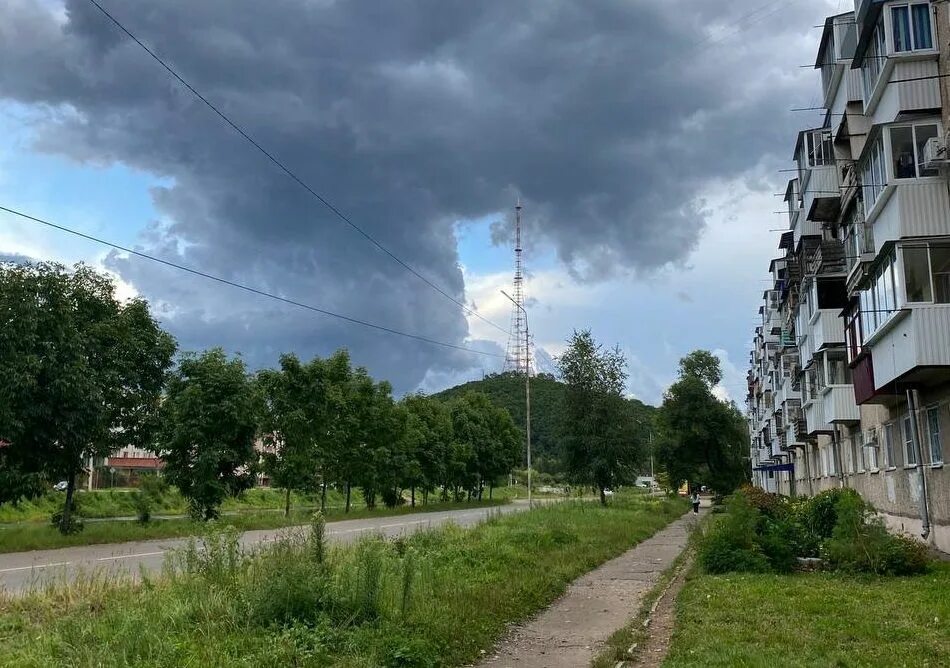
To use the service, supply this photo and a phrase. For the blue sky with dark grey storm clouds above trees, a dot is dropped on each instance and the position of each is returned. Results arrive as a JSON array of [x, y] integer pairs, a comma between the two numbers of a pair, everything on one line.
[[644, 139]]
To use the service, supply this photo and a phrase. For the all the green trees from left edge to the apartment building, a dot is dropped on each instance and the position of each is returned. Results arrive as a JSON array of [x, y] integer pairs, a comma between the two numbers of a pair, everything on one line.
[[85, 374]]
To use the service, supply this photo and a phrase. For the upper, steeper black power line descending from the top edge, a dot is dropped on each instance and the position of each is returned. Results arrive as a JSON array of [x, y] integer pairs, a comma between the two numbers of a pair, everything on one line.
[[280, 165]]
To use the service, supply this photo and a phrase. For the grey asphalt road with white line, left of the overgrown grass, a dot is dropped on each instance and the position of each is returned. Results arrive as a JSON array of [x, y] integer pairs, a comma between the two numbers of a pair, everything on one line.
[[19, 571]]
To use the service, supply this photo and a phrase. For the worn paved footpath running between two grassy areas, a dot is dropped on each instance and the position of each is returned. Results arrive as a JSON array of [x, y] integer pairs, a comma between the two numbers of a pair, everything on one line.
[[569, 633]]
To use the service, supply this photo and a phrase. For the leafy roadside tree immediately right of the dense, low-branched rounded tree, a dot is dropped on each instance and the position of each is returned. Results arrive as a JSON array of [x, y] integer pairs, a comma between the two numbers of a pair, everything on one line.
[[292, 419]]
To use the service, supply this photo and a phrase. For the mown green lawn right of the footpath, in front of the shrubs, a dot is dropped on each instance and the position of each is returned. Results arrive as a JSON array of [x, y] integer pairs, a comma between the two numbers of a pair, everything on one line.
[[813, 619]]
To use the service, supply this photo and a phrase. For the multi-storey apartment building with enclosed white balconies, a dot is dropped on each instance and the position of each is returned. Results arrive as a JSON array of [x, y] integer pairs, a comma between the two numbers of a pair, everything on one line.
[[850, 369]]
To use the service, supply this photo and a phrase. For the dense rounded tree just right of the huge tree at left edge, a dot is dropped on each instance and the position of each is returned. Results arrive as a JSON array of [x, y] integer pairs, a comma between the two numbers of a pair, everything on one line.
[[207, 431]]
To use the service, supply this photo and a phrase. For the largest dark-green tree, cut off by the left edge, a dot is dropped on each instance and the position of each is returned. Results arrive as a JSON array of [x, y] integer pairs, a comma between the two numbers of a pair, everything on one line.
[[82, 374]]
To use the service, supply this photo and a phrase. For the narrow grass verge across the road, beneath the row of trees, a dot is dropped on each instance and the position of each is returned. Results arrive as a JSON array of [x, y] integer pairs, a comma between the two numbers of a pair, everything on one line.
[[40, 536]]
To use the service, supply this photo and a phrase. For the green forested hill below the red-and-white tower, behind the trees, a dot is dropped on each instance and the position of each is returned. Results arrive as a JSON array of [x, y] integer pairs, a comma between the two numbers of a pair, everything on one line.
[[507, 390]]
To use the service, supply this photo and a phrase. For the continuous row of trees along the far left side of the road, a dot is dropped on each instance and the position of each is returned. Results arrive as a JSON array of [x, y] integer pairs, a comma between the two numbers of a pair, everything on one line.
[[86, 374]]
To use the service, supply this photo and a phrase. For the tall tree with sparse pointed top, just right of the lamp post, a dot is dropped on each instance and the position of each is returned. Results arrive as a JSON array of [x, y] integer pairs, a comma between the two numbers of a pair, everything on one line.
[[597, 427]]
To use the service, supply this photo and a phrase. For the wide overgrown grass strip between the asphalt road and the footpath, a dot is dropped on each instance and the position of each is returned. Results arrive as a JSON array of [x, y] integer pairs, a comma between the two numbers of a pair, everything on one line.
[[436, 598]]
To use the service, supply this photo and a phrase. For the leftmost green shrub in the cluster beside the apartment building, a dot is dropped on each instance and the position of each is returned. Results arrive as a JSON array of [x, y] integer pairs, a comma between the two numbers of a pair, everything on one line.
[[731, 544]]
